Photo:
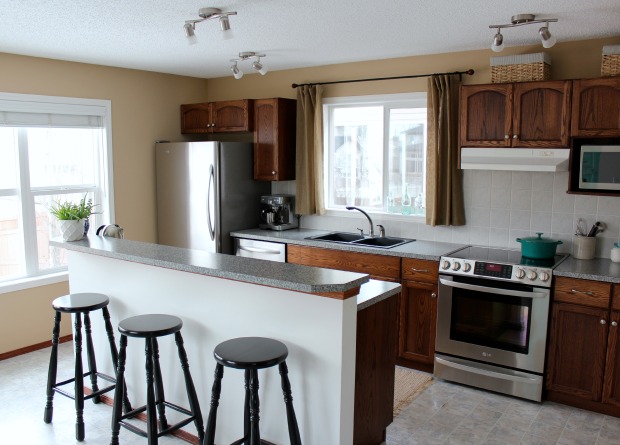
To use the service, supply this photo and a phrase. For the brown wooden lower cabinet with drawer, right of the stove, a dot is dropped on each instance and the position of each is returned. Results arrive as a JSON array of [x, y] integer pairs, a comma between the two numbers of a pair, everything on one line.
[[583, 367]]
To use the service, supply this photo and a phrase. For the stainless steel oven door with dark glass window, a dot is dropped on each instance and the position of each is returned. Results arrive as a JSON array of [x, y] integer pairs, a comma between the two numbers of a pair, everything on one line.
[[492, 322]]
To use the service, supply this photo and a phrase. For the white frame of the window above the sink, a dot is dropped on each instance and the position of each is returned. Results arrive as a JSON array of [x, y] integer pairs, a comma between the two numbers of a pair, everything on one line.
[[412, 100]]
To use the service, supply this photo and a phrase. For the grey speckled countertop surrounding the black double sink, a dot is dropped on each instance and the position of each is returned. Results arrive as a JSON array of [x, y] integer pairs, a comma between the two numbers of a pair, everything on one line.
[[426, 250]]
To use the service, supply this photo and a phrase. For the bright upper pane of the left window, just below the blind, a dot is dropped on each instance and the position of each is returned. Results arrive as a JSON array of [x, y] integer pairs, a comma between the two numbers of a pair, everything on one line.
[[62, 156]]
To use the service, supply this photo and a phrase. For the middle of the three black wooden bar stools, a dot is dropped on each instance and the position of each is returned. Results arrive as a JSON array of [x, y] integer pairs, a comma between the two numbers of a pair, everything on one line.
[[150, 327]]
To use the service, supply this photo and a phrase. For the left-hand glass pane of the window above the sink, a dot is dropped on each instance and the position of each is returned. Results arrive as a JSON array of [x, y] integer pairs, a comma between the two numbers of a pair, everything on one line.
[[357, 157]]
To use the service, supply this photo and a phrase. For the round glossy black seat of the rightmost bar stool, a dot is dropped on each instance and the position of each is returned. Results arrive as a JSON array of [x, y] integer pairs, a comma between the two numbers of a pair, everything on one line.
[[250, 353]]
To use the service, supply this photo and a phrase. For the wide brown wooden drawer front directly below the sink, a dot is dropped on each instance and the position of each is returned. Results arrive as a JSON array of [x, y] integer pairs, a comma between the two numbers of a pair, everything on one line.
[[377, 266]]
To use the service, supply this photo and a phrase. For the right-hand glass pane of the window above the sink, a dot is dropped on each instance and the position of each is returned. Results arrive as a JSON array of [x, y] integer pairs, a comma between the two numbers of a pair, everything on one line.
[[406, 161]]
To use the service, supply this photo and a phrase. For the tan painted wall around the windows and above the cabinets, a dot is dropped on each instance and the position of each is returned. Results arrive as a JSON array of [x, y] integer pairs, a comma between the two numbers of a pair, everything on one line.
[[145, 108]]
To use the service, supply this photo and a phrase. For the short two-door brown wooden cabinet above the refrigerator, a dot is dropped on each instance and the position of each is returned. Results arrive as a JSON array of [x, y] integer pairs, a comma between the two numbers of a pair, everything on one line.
[[217, 117]]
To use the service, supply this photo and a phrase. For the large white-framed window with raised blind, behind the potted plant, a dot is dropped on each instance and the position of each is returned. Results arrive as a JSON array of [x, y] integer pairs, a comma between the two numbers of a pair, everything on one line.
[[51, 148]]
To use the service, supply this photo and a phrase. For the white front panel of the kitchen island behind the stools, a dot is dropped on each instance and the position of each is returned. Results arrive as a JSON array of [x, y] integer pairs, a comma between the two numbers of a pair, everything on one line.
[[319, 333]]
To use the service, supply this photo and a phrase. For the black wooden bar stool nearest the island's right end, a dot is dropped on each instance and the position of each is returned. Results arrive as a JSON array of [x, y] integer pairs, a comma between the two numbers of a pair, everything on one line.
[[251, 354]]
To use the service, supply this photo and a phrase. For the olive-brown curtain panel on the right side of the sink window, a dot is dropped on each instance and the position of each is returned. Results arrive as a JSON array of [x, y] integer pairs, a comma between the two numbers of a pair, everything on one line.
[[444, 179]]
